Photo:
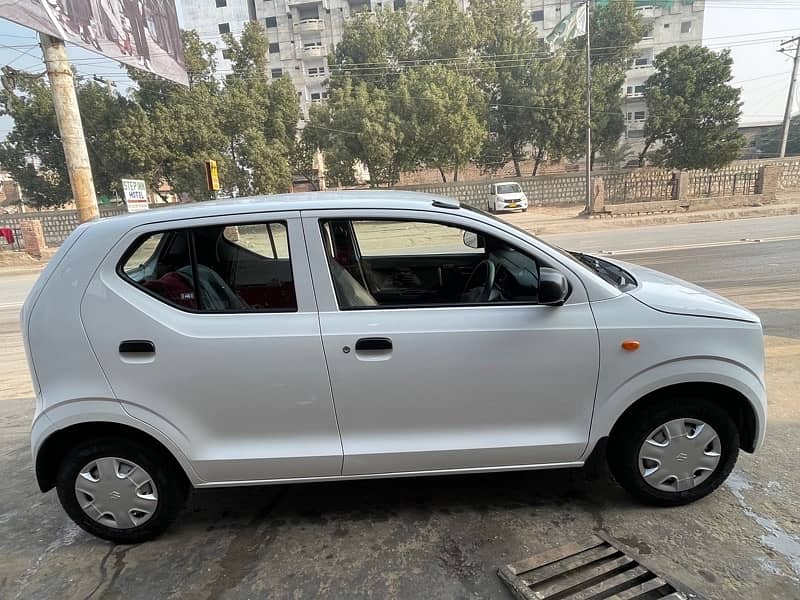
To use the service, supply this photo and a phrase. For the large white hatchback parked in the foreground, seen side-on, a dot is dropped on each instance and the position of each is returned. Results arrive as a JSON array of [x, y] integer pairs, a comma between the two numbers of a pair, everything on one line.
[[334, 336]]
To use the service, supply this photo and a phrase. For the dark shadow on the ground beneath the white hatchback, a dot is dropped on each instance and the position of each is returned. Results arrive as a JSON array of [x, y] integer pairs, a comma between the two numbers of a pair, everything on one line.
[[383, 499]]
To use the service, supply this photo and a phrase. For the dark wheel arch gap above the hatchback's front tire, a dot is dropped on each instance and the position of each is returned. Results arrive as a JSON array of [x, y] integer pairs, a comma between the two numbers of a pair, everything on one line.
[[727, 398]]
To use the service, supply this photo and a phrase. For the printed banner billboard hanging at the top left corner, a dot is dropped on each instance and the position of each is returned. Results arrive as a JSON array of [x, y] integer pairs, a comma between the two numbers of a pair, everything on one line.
[[140, 33]]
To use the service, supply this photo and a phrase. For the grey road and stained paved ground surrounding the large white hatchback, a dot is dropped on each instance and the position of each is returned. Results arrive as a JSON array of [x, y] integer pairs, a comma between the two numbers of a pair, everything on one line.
[[444, 537]]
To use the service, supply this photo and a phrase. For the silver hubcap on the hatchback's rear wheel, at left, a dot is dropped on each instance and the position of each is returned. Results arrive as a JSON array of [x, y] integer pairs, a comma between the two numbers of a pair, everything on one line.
[[116, 492]]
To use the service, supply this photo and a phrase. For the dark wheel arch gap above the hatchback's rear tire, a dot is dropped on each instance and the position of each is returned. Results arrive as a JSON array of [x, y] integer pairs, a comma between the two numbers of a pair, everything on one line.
[[57, 444]]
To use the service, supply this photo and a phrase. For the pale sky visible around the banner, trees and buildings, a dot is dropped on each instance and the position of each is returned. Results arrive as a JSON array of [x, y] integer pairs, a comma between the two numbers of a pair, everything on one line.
[[753, 29]]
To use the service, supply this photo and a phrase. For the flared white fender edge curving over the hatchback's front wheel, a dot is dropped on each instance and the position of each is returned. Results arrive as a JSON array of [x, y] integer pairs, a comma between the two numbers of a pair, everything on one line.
[[682, 371]]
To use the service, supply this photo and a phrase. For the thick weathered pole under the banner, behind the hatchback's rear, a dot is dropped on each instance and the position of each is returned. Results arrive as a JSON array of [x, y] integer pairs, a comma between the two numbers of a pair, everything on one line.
[[65, 101]]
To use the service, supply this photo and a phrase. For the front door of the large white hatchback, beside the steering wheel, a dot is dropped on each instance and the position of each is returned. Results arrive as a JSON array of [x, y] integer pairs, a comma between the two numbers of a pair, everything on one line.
[[447, 383]]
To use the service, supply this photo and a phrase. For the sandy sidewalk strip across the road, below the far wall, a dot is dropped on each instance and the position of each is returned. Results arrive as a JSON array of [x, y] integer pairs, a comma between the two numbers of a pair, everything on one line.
[[552, 220]]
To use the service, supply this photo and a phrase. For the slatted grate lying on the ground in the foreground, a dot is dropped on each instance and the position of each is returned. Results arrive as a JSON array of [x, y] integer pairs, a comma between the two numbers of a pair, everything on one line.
[[598, 569]]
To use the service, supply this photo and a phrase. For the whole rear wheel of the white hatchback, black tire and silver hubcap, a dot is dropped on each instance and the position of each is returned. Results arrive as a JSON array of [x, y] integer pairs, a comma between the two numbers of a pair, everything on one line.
[[120, 490]]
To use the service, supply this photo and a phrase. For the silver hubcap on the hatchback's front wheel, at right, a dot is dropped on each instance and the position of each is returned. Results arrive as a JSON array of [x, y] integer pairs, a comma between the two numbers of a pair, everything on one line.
[[679, 455]]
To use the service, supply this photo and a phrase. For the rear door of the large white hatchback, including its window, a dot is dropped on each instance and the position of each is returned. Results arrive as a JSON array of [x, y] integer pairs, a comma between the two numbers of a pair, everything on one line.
[[208, 328]]
